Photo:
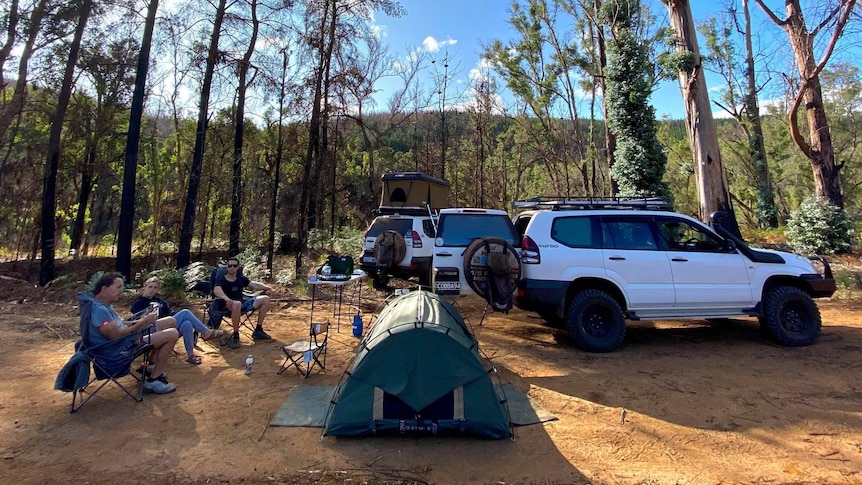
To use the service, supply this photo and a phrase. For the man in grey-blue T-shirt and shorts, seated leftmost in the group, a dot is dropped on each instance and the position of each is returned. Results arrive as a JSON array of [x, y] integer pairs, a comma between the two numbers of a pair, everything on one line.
[[111, 327]]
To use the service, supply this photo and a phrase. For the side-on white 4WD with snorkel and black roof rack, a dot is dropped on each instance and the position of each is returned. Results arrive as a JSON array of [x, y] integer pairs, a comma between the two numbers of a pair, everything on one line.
[[593, 267]]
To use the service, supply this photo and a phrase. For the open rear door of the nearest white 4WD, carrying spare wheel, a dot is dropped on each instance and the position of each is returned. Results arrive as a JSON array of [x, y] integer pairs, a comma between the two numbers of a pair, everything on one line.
[[476, 253]]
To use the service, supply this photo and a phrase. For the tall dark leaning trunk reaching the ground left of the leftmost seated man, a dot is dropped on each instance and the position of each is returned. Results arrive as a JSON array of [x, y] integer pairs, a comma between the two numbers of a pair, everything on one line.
[[49, 186]]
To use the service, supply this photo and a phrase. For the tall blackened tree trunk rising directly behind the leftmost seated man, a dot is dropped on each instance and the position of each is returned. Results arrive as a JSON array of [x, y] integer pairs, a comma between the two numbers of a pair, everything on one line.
[[130, 167]]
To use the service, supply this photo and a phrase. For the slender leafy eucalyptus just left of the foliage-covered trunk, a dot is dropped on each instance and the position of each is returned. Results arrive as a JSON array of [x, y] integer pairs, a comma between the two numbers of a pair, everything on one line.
[[539, 68]]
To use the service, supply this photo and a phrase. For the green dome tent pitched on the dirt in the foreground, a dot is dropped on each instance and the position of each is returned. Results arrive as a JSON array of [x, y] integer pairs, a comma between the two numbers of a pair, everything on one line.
[[418, 370]]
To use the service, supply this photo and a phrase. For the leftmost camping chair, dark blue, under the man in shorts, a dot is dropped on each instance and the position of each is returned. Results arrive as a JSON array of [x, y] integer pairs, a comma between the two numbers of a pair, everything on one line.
[[108, 364]]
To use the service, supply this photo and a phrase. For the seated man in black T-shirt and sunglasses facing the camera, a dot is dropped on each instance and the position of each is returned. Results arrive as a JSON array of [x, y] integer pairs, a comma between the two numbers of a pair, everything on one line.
[[229, 290]]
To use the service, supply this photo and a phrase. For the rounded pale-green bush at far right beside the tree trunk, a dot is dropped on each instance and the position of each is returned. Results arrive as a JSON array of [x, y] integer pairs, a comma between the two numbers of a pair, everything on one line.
[[819, 227]]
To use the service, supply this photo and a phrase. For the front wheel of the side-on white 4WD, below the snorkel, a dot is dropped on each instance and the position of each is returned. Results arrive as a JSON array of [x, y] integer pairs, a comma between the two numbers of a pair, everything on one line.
[[790, 317]]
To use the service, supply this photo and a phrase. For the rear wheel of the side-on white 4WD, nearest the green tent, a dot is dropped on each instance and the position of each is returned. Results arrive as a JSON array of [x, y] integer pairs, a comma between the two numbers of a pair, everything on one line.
[[595, 321]]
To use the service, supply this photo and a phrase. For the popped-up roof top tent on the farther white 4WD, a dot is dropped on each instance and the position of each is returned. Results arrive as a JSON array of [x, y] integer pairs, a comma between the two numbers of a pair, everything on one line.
[[413, 191]]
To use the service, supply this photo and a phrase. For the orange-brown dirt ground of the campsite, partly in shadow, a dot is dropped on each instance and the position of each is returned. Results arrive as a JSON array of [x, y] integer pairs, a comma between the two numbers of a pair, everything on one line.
[[680, 403]]
